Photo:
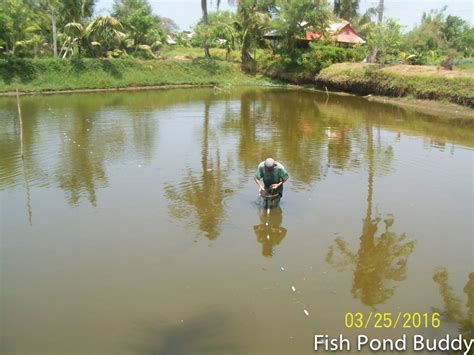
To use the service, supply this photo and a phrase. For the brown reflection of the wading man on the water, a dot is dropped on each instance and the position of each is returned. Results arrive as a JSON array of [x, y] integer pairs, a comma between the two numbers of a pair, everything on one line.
[[269, 232]]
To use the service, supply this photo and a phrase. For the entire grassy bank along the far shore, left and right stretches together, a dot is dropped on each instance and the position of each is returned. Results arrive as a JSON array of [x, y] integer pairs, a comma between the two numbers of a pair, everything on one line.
[[185, 67]]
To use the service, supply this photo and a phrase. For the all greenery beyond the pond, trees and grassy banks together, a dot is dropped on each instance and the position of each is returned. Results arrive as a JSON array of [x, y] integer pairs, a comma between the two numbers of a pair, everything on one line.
[[59, 44]]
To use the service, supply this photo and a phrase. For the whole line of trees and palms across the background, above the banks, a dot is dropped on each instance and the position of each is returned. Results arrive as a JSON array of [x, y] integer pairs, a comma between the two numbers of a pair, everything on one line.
[[65, 28]]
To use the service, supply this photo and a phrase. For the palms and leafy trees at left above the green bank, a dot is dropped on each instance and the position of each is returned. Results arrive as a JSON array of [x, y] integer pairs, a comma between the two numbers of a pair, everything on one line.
[[64, 28]]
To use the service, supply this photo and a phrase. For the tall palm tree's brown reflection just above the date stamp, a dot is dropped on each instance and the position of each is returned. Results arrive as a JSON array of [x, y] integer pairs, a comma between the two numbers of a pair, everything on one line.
[[380, 259]]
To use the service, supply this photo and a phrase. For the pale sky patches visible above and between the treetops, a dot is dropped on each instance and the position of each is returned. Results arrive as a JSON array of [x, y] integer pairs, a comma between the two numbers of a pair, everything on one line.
[[186, 13]]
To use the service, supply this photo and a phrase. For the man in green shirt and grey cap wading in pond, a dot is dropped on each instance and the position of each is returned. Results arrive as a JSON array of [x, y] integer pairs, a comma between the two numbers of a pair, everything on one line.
[[273, 175]]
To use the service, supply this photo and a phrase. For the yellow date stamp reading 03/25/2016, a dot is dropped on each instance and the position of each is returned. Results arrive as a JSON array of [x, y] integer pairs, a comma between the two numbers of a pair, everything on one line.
[[387, 320]]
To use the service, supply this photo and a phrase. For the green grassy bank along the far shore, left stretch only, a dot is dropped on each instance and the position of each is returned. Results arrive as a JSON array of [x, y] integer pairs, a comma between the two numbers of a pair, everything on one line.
[[39, 75]]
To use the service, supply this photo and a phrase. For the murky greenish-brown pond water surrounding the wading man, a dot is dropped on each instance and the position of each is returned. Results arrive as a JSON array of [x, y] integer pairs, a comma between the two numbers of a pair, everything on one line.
[[133, 226]]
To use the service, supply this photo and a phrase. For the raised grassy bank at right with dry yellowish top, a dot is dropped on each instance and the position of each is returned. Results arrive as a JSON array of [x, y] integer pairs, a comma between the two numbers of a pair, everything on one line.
[[420, 82]]
